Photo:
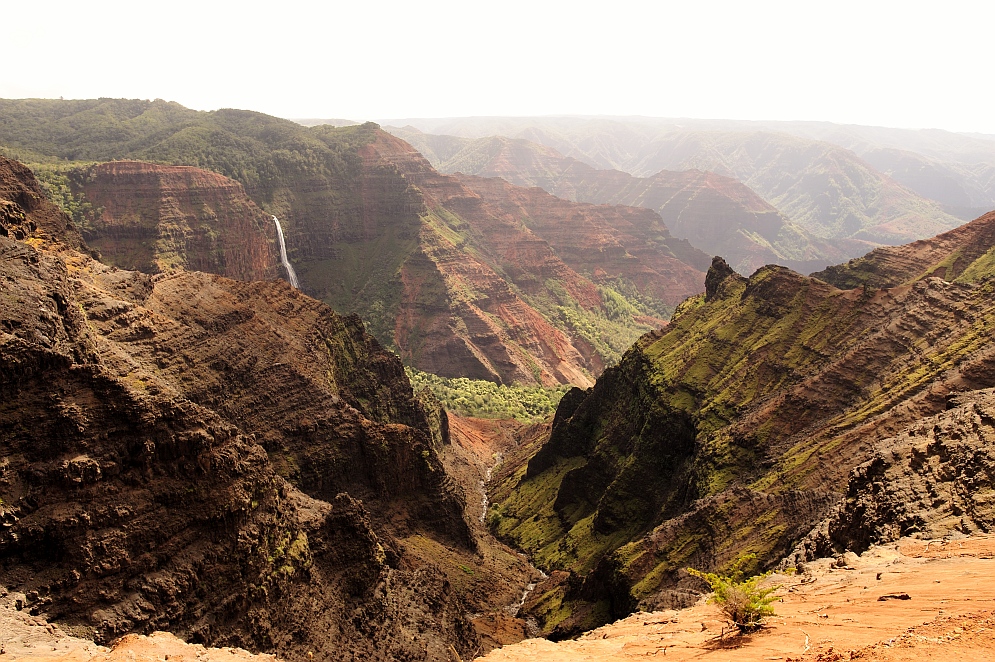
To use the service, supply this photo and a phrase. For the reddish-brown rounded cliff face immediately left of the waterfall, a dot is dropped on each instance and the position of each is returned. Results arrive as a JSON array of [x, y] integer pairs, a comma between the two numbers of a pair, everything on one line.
[[156, 218]]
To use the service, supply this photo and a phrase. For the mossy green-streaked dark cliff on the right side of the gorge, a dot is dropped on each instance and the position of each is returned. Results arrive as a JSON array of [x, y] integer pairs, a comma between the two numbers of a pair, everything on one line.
[[736, 429]]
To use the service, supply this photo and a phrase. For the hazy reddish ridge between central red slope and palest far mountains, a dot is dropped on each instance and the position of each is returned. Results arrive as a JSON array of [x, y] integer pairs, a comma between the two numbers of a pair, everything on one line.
[[714, 213]]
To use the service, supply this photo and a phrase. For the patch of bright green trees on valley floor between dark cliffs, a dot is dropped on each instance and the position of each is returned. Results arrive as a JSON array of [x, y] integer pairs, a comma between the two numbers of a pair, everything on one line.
[[483, 399]]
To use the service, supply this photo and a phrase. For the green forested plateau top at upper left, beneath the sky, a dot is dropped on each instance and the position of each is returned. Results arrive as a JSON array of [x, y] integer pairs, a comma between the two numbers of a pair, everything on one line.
[[255, 149]]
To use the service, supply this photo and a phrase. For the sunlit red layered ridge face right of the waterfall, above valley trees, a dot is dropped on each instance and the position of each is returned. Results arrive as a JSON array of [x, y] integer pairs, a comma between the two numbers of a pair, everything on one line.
[[528, 304]]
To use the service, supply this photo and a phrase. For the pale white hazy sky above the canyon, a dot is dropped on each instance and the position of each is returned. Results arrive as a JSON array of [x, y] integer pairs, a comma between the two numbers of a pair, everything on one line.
[[904, 64]]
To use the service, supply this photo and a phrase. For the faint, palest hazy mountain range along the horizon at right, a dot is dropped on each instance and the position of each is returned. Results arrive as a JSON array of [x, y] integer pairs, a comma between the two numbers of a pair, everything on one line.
[[820, 176]]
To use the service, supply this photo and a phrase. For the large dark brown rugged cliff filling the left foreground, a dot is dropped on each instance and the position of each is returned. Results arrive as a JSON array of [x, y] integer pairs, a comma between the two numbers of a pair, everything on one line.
[[183, 451]]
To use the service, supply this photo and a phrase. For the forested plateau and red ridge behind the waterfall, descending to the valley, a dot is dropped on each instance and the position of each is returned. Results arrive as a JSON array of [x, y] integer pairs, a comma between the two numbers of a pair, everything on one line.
[[368, 230]]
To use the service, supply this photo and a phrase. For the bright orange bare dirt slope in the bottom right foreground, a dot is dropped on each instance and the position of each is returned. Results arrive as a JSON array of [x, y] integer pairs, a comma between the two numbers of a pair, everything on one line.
[[832, 611]]
